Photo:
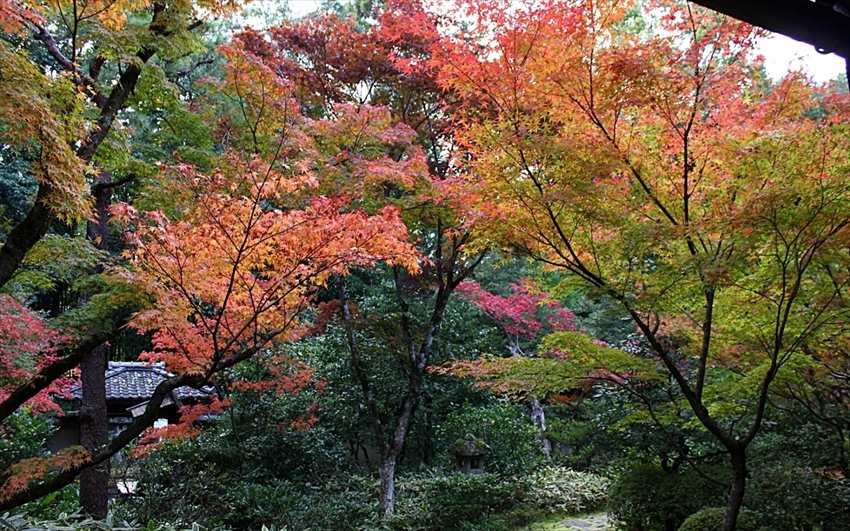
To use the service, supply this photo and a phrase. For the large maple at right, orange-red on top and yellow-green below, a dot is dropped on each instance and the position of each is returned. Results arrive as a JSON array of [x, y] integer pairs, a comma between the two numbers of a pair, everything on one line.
[[663, 171]]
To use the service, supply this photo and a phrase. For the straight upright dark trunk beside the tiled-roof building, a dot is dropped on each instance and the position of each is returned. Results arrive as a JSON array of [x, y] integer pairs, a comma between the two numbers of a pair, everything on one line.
[[94, 419]]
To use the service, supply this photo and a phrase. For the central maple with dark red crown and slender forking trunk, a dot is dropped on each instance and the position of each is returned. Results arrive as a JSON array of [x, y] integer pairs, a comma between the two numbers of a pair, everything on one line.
[[377, 85]]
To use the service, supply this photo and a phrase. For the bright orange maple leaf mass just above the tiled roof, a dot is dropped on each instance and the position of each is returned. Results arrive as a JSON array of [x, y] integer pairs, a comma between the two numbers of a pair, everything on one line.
[[235, 271]]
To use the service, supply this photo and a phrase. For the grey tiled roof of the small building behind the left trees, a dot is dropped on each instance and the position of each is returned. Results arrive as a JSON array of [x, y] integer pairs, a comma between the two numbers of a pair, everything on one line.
[[137, 380]]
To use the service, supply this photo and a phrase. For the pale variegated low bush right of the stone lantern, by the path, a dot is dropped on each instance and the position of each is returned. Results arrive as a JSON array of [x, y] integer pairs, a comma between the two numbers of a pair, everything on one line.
[[559, 489]]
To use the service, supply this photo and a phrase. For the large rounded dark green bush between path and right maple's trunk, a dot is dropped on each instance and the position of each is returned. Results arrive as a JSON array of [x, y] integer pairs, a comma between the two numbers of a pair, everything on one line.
[[648, 498]]
